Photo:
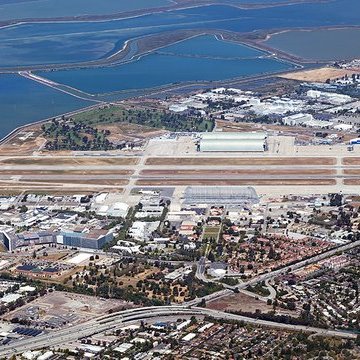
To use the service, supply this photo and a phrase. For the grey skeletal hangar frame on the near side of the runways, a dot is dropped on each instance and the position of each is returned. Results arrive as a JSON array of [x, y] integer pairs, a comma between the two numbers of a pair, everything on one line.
[[220, 195]]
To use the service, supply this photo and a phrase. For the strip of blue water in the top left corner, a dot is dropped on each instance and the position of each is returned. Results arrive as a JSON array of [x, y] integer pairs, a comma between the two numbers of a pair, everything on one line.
[[62, 8]]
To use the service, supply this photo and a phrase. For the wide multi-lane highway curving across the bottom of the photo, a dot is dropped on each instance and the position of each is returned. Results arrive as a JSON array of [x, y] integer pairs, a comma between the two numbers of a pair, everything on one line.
[[119, 319]]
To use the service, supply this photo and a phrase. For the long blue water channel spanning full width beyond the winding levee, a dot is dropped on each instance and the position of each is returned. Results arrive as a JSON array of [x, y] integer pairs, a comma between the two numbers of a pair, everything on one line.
[[73, 42]]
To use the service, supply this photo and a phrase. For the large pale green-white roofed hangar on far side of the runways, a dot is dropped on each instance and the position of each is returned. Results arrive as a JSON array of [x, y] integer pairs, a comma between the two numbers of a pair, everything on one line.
[[233, 142]]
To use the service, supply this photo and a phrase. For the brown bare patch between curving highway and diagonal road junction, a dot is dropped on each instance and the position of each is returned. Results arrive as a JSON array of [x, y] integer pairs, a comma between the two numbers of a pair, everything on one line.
[[242, 302]]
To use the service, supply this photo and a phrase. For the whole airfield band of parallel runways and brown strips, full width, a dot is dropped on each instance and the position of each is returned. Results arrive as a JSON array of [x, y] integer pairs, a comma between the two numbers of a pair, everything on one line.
[[125, 172]]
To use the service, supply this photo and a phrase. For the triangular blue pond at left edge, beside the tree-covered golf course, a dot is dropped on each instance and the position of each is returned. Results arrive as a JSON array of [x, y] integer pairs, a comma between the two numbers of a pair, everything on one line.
[[23, 101]]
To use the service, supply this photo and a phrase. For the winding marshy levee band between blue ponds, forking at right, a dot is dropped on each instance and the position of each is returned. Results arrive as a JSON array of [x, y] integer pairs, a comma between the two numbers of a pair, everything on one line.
[[256, 39]]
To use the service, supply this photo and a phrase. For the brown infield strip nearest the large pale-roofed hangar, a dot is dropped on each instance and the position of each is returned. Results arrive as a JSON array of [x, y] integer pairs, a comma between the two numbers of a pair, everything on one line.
[[241, 161]]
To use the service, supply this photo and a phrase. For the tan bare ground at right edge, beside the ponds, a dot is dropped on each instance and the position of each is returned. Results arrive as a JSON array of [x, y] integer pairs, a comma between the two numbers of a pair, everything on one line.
[[319, 75]]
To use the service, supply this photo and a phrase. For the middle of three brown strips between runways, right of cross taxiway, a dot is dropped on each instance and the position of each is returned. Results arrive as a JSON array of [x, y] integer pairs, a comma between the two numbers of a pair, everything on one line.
[[239, 172]]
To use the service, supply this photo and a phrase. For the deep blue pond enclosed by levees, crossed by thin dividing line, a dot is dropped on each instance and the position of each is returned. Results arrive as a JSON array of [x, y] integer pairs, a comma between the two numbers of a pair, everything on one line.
[[223, 60]]
